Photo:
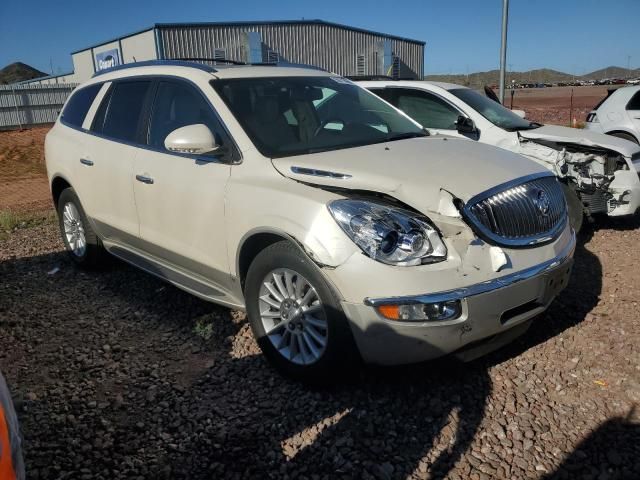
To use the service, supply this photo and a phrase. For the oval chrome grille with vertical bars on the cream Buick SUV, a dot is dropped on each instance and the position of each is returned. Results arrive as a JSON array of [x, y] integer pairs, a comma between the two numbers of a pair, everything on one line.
[[526, 212]]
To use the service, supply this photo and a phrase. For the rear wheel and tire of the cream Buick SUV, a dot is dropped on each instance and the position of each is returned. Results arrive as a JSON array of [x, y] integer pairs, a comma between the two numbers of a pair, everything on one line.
[[80, 240]]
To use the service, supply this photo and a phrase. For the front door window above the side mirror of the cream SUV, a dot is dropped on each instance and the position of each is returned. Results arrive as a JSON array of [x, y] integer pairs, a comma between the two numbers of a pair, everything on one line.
[[177, 105]]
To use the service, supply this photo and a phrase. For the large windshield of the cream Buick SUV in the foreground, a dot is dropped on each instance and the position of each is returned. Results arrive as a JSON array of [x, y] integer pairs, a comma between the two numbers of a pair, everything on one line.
[[287, 116]]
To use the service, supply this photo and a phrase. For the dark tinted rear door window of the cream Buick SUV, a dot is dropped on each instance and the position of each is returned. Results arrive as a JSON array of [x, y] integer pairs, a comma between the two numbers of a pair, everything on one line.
[[124, 109]]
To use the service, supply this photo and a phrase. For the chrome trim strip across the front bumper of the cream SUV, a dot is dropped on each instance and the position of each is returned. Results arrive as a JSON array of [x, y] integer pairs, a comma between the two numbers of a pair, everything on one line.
[[484, 287]]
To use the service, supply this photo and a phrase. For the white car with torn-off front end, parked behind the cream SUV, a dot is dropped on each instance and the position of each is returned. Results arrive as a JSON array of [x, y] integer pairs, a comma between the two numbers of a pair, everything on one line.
[[600, 173]]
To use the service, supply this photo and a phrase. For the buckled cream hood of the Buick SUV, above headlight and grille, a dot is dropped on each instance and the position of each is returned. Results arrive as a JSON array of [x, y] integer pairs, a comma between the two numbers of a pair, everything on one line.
[[413, 171]]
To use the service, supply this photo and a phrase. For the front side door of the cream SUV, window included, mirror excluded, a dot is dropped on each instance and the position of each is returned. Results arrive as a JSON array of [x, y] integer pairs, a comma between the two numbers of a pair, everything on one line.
[[180, 197]]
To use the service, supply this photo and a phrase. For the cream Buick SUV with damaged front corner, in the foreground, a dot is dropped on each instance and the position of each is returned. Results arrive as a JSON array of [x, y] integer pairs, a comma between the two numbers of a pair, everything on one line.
[[327, 214]]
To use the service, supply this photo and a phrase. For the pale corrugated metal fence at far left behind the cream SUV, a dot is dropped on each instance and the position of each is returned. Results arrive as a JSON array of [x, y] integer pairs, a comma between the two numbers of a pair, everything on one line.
[[24, 105]]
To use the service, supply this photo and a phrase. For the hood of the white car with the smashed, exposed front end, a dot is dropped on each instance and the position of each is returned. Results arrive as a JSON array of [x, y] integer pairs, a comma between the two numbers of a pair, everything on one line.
[[555, 133]]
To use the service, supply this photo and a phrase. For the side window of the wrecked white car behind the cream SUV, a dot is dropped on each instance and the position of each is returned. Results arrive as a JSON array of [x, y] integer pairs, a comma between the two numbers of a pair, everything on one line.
[[426, 109]]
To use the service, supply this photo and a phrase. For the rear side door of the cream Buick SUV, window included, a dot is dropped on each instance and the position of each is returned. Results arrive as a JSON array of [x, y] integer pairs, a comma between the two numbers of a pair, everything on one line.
[[111, 150]]
